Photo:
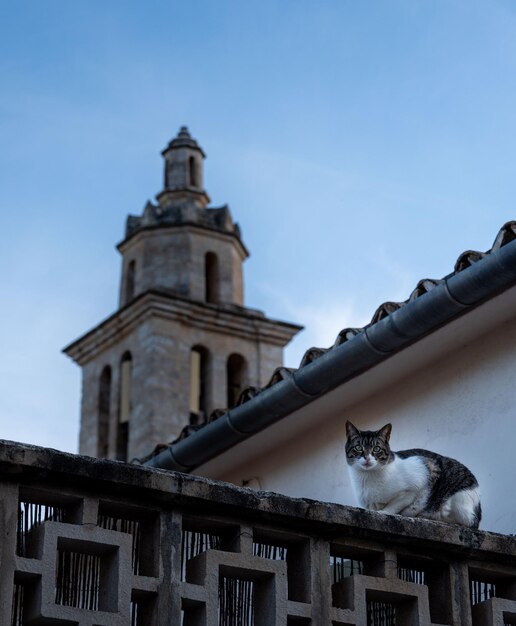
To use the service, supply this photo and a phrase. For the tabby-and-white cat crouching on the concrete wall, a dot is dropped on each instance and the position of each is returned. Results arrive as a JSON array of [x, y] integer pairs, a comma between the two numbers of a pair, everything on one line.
[[415, 483]]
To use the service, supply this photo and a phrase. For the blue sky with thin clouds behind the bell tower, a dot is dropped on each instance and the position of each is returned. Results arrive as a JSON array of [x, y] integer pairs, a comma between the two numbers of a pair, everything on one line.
[[361, 146]]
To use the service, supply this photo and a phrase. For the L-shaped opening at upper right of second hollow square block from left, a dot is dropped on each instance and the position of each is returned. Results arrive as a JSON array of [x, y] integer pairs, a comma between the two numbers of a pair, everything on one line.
[[293, 550]]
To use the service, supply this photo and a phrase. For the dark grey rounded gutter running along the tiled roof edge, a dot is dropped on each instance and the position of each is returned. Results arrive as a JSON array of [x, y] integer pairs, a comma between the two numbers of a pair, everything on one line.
[[452, 297]]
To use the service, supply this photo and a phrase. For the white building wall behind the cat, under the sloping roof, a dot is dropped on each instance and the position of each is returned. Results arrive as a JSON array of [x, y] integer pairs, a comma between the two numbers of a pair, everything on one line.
[[462, 404]]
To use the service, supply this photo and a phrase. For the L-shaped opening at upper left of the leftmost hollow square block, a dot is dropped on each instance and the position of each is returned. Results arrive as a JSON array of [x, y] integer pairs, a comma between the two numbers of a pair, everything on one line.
[[34, 509]]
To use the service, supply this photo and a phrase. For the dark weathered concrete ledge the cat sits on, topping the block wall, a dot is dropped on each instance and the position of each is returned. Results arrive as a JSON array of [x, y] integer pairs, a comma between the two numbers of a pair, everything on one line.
[[23, 463]]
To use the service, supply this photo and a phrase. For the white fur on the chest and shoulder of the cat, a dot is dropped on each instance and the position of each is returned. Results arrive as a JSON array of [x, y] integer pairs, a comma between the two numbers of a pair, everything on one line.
[[376, 487]]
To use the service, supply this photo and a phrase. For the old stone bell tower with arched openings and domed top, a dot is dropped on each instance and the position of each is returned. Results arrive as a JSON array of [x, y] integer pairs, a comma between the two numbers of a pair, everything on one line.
[[182, 343]]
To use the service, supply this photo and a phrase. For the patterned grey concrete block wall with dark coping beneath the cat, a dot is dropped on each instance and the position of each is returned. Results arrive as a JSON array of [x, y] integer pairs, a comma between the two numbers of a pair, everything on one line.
[[89, 542]]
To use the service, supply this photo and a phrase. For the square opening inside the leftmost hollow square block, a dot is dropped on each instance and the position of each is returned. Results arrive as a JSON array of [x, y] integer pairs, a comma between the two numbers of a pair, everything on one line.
[[86, 575]]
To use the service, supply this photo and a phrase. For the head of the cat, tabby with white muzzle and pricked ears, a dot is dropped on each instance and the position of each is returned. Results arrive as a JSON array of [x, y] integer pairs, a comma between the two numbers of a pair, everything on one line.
[[368, 449]]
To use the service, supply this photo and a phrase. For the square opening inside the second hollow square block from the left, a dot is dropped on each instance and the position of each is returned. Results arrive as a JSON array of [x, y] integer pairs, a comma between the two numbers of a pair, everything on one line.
[[236, 602]]
